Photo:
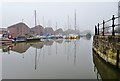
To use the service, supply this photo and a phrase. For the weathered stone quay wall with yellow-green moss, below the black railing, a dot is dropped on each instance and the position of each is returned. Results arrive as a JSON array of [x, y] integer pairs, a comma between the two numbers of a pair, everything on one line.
[[108, 48]]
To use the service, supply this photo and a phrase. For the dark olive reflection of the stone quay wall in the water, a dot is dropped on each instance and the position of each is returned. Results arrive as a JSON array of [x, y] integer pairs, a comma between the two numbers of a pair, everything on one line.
[[104, 70]]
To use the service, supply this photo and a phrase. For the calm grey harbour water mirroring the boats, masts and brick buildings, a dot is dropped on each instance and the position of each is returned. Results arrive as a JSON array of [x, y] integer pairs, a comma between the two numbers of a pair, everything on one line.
[[51, 59]]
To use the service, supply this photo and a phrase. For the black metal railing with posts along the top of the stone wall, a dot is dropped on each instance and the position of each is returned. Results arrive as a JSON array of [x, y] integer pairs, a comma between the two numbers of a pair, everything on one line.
[[112, 20]]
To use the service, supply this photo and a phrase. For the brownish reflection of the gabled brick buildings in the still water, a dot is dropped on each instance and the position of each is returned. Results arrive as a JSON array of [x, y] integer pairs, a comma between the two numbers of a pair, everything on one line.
[[23, 46]]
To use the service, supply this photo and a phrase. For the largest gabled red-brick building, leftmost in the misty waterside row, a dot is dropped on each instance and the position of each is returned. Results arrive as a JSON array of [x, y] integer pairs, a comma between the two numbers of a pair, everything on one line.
[[19, 29]]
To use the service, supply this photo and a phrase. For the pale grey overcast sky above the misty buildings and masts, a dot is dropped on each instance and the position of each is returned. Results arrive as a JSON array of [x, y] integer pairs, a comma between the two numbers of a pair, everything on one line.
[[48, 13]]
